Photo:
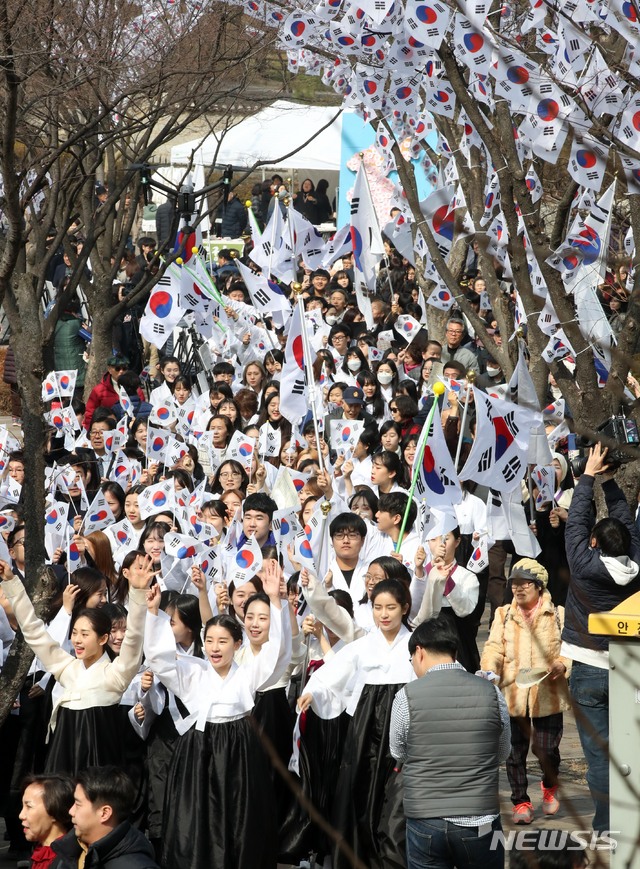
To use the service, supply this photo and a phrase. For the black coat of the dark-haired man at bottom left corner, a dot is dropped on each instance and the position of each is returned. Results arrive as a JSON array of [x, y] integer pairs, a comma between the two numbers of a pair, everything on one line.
[[122, 848]]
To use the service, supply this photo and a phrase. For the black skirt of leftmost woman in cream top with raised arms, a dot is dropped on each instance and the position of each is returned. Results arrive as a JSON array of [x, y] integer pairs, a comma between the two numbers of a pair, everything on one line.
[[87, 737]]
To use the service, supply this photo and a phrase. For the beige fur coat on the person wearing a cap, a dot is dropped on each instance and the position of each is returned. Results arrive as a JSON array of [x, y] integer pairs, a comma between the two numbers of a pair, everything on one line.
[[513, 645]]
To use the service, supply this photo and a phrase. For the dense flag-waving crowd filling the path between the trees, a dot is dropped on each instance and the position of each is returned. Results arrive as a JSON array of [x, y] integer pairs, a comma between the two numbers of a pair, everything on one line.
[[194, 652]]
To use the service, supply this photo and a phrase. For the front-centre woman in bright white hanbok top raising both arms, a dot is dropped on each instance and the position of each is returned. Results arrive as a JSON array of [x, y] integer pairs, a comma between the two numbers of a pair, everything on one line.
[[219, 807]]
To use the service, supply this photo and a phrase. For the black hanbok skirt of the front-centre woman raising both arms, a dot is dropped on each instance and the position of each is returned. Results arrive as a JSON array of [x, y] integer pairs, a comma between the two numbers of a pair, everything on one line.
[[219, 809]]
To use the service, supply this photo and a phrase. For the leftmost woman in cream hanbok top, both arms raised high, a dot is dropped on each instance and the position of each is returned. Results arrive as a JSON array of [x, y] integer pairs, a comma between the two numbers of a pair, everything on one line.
[[84, 722]]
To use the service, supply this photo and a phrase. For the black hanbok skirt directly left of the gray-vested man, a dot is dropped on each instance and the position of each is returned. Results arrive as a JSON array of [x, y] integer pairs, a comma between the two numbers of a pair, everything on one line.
[[368, 808]]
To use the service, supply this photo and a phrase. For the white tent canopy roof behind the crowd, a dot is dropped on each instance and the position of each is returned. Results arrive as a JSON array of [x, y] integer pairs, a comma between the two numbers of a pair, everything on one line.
[[269, 136]]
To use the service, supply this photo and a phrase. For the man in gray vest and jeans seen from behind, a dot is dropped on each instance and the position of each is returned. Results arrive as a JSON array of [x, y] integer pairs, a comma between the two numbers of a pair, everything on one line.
[[450, 730]]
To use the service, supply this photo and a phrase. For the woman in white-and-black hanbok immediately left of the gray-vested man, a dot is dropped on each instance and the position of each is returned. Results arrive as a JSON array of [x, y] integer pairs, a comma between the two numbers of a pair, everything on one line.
[[363, 679]]
